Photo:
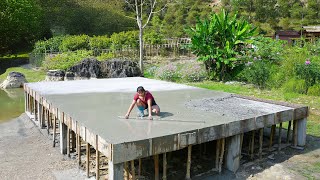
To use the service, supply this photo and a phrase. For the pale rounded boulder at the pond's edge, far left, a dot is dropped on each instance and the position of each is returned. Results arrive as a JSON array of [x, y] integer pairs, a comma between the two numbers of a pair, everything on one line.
[[14, 80]]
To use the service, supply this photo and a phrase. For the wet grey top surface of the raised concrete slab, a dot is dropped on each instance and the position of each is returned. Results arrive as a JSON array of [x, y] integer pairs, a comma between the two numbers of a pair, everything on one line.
[[97, 104]]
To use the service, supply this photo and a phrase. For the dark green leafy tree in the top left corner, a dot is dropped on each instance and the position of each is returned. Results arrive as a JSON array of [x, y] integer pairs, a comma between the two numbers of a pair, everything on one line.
[[20, 24]]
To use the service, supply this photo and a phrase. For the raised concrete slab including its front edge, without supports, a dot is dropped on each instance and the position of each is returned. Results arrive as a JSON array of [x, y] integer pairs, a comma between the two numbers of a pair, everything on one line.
[[189, 115]]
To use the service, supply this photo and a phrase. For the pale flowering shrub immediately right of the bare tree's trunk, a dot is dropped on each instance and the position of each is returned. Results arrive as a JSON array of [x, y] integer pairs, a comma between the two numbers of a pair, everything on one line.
[[168, 72]]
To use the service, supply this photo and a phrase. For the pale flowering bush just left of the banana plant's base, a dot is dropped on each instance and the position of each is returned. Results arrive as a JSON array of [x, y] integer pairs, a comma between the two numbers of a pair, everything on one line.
[[191, 72]]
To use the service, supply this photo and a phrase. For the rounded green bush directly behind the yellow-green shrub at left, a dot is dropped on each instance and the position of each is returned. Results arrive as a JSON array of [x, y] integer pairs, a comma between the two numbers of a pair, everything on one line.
[[73, 43]]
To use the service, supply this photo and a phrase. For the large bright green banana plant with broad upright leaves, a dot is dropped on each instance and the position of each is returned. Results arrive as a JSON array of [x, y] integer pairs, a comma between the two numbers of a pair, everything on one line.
[[219, 40]]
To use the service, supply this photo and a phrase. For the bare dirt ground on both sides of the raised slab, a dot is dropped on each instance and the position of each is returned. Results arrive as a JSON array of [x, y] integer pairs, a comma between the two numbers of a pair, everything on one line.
[[26, 153]]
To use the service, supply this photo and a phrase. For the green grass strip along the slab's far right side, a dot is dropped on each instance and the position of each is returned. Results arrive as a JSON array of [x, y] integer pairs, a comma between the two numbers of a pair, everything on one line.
[[313, 125]]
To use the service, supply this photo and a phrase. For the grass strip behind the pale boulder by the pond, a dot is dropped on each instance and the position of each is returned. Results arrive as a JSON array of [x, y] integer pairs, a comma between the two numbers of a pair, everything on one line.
[[31, 75]]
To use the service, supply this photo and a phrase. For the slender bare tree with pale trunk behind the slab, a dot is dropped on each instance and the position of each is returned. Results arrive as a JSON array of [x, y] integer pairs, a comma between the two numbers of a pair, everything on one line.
[[143, 8]]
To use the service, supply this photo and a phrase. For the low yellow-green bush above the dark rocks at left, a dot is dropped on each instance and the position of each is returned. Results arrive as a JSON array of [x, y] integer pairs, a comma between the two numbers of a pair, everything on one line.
[[65, 60]]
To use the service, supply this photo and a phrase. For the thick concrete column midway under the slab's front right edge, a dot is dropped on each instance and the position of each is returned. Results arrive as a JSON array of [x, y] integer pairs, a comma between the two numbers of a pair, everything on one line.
[[232, 161]]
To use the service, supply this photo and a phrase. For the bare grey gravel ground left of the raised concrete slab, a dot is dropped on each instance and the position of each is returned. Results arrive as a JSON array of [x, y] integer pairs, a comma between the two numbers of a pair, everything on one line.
[[27, 154]]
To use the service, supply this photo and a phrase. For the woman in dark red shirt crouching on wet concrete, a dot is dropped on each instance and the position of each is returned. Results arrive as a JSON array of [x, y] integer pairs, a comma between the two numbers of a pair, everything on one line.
[[143, 100]]
